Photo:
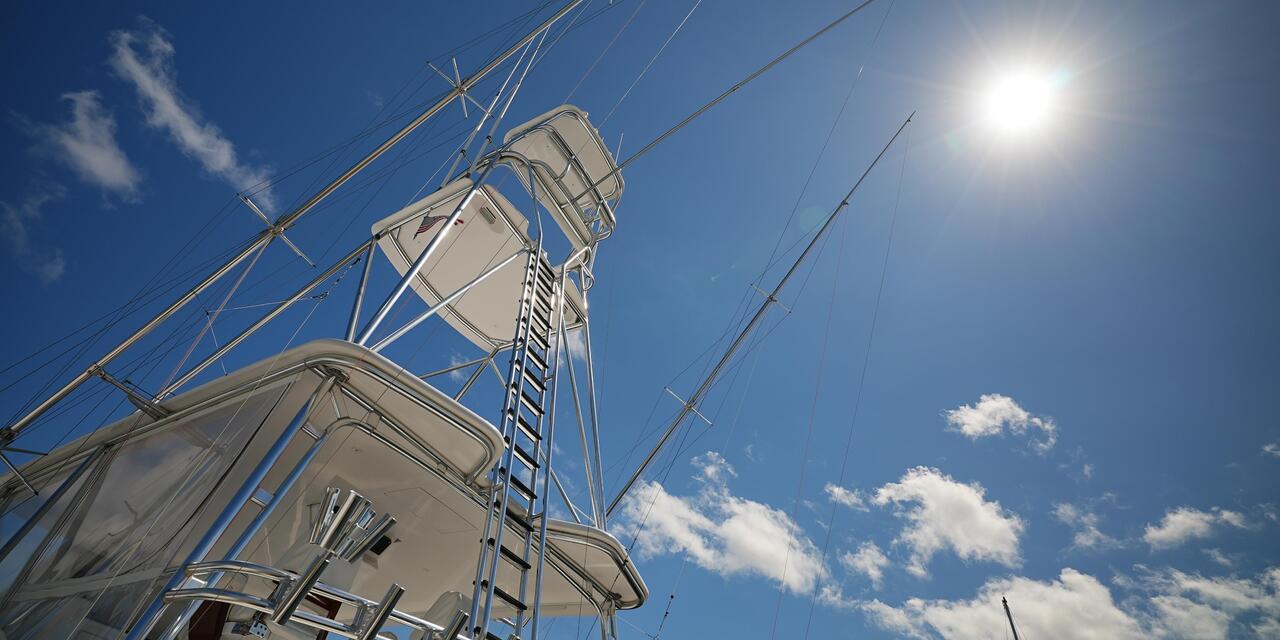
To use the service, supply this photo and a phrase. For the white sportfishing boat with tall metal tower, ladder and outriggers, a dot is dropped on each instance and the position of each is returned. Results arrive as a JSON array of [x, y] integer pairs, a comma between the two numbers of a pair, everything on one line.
[[327, 490]]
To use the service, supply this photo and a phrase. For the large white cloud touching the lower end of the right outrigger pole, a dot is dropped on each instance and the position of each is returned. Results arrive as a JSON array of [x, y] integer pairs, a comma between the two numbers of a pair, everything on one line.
[[721, 532]]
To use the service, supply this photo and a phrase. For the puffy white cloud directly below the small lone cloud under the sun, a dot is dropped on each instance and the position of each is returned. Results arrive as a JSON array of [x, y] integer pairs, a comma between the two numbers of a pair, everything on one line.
[[947, 515]]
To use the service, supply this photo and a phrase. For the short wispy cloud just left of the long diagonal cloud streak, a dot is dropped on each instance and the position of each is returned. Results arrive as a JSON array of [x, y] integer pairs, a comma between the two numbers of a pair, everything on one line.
[[88, 145]]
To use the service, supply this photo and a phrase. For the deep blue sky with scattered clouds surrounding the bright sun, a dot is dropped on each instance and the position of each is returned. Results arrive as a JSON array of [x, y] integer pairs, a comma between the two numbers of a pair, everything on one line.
[[1068, 394]]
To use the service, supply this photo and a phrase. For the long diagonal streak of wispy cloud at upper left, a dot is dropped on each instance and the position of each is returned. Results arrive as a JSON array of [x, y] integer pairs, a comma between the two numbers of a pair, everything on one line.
[[145, 60]]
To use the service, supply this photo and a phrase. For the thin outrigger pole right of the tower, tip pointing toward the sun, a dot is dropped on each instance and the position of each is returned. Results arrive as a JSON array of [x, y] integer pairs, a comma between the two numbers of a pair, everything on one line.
[[691, 406]]
